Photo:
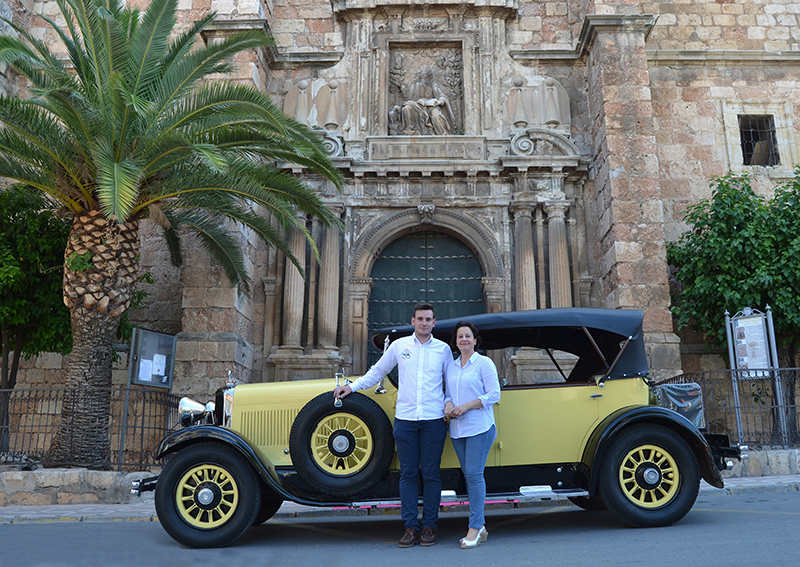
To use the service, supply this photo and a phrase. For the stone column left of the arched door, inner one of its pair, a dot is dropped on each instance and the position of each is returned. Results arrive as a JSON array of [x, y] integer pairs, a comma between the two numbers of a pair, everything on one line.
[[329, 285]]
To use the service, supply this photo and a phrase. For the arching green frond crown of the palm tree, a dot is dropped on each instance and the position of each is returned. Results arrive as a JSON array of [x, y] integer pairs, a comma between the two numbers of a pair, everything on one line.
[[136, 125]]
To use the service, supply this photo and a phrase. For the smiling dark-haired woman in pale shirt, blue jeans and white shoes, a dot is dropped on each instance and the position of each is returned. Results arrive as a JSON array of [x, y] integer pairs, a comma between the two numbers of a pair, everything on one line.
[[472, 388]]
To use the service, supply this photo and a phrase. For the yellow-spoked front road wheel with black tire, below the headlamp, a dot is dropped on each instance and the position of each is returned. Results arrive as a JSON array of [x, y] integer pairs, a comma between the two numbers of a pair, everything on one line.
[[212, 471]]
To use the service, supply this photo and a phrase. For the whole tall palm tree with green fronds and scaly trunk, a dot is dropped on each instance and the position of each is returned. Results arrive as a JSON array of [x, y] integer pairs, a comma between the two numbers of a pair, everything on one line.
[[134, 127]]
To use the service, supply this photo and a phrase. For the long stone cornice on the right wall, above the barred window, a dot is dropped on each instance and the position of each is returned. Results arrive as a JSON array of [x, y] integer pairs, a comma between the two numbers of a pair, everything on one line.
[[723, 58]]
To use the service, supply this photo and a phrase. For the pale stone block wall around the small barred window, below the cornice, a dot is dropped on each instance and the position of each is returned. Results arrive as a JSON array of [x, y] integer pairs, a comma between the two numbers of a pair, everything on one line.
[[689, 104]]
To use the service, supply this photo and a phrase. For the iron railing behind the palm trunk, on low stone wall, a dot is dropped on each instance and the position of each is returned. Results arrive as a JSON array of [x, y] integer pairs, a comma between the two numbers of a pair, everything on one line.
[[138, 419]]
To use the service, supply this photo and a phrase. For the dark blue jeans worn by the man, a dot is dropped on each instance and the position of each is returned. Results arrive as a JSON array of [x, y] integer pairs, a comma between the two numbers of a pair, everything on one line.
[[419, 449]]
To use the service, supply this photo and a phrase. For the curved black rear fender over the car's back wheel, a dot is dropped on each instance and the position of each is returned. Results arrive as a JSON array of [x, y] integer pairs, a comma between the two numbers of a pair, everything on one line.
[[600, 439]]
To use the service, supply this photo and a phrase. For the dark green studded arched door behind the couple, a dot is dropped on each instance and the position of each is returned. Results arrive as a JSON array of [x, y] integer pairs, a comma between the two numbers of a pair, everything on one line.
[[423, 266]]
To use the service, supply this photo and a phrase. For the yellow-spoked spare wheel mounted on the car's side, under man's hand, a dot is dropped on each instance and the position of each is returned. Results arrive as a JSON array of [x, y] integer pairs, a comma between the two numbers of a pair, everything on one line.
[[341, 451]]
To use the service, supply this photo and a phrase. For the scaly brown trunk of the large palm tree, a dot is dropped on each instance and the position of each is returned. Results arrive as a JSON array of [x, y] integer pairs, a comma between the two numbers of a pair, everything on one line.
[[99, 275]]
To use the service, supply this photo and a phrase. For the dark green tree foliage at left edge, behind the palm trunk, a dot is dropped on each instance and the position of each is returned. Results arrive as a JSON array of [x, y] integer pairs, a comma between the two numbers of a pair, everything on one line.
[[33, 317]]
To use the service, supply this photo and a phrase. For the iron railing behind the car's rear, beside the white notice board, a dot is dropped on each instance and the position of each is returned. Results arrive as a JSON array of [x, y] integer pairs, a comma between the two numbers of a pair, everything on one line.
[[753, 407]]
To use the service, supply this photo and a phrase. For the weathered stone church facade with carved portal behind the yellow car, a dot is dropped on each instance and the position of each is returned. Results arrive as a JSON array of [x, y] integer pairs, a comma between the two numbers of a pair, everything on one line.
[[497, 155]]
